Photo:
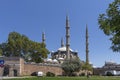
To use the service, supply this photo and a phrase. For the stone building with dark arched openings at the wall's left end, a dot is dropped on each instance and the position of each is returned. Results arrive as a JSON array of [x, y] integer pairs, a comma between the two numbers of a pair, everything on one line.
[[13, 66]]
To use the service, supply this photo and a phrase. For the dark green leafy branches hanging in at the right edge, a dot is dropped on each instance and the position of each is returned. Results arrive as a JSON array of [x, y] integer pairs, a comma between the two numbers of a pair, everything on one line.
[[109, 22]]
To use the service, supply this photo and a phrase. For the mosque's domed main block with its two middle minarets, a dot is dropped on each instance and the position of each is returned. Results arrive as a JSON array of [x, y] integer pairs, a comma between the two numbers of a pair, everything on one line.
[[65, 52]]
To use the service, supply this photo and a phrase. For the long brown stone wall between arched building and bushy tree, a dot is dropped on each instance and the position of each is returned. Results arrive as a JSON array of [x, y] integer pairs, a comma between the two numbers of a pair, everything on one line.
[[30, 68]]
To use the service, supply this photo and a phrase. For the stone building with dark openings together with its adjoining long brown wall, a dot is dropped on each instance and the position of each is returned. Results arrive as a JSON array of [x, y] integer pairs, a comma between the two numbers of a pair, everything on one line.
[[15, 66]]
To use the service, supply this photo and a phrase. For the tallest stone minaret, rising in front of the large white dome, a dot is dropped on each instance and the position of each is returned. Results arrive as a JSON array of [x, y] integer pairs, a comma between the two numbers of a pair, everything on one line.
[[67, 38]]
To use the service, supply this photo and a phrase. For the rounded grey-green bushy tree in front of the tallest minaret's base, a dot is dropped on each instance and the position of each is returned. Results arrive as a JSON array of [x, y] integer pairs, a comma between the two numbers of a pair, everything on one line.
[[70, 66]]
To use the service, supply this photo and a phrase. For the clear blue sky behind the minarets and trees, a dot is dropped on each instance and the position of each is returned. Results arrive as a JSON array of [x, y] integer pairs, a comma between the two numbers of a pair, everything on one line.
[[32, 17]]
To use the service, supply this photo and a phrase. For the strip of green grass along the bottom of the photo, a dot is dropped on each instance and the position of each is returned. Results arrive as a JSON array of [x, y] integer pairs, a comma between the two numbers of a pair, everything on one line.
[[69, 78]]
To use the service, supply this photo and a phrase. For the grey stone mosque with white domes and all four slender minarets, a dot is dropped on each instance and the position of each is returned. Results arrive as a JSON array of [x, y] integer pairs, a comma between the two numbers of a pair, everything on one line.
[[65, 52]]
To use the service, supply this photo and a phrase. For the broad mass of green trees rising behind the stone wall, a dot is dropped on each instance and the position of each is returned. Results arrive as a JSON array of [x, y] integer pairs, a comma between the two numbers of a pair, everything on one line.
[[19, 45]]
